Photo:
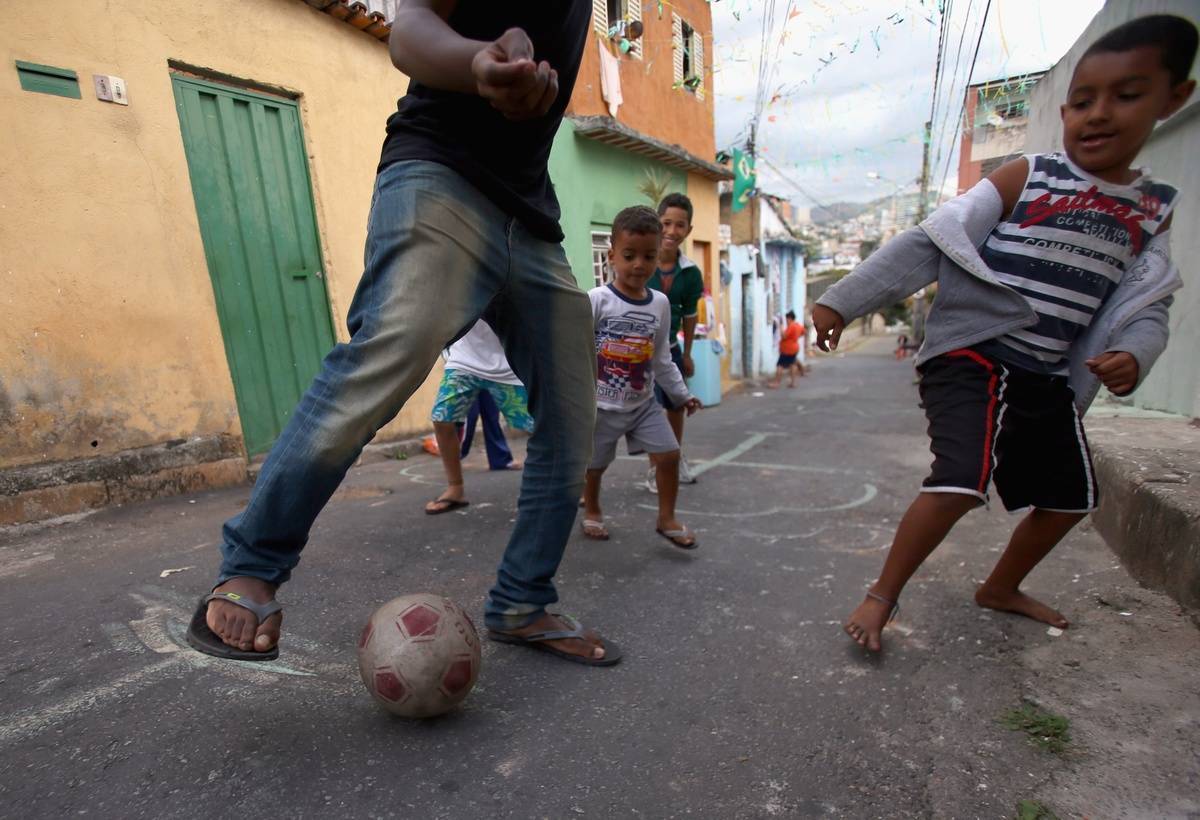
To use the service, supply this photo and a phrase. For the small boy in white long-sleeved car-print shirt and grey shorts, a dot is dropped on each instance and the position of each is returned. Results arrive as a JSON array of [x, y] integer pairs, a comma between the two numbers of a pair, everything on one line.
[[632, 324]]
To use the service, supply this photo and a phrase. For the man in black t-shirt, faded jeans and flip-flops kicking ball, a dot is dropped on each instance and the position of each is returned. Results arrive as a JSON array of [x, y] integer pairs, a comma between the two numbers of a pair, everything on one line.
[[464, 225]]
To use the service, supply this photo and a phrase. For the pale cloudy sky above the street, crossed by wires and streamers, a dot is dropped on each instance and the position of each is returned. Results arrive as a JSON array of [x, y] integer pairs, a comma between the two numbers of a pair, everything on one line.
[[854, 81]]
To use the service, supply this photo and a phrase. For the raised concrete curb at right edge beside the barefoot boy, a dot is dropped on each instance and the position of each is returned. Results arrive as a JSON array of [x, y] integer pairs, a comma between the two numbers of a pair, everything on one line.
[[1149, 471]]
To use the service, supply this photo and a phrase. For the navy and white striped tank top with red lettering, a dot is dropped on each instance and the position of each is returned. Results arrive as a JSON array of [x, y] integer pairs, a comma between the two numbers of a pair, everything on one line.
[[1065, 248]]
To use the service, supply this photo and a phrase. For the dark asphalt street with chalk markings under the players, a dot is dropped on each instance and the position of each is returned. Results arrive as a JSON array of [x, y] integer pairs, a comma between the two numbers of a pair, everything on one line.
[[739, 698]]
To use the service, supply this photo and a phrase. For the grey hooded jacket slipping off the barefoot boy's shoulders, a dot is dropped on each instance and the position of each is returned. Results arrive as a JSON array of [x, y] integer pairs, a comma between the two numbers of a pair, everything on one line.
[[973, 307]]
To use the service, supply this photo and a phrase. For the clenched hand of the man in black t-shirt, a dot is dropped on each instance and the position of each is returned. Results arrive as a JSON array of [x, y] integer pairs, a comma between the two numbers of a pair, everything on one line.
[[509, 79]]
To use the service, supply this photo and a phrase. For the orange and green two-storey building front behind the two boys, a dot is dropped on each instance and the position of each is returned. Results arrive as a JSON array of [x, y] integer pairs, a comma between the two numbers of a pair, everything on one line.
[[640, 125]]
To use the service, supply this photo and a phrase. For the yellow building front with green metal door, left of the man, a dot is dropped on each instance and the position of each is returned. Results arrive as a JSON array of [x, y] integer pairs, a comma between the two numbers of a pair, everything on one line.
[[179, 260]]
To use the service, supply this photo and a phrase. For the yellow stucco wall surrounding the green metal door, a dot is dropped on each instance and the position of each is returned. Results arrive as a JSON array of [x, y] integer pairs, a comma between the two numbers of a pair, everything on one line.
[[109, 330]]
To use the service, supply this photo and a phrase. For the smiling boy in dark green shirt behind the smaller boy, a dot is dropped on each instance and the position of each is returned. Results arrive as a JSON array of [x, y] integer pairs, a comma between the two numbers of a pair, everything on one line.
[[683, 284]]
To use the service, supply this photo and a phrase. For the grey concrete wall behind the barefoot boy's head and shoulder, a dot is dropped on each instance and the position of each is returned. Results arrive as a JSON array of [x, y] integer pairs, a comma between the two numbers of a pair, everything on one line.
[[1172, 153]]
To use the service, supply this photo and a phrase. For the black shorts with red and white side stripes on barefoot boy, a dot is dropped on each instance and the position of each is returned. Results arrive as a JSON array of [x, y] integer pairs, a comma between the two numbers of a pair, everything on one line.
[[993, 423]]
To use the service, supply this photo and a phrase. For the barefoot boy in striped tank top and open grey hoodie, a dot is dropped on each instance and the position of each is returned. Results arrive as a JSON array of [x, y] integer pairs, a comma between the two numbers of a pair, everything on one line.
[[1070, 289]]
